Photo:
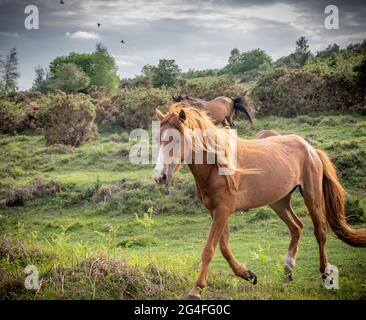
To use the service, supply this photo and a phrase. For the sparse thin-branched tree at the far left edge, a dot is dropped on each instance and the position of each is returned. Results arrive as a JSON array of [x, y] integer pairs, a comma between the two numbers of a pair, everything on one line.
[[9, 71]]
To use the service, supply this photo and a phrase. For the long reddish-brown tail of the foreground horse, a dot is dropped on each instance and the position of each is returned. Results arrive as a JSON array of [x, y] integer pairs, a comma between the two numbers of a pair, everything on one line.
[[334, 195]]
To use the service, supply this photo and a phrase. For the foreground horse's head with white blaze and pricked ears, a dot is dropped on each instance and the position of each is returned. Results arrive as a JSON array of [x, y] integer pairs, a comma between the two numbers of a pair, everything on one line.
[[171, 150]]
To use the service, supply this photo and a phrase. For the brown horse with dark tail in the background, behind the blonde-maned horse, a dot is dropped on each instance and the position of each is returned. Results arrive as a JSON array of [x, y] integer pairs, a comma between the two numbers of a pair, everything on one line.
[[220, 109]]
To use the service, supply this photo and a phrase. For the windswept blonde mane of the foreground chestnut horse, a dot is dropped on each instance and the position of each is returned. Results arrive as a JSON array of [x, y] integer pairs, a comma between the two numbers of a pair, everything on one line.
[[214, 139]]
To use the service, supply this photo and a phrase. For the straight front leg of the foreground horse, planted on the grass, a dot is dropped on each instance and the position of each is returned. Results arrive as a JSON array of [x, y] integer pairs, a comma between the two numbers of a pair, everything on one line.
[[220, 217]]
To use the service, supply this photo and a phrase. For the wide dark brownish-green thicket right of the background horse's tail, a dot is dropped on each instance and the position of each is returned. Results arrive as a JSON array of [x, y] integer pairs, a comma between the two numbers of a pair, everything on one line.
[[292, 92]]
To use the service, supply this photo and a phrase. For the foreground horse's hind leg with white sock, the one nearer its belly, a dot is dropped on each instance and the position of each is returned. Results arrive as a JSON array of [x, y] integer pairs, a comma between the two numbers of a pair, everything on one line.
[[285, 212]]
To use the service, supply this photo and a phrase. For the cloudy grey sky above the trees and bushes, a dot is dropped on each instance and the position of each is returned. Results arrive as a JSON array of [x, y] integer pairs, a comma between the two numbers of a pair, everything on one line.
[[196, 33]]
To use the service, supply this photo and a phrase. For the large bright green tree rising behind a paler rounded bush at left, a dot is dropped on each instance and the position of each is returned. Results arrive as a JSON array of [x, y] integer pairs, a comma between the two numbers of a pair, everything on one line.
[[99, 66]]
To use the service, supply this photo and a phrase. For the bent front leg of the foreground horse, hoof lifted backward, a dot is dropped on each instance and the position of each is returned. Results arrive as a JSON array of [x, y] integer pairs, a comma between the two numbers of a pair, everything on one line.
[[238, 269]]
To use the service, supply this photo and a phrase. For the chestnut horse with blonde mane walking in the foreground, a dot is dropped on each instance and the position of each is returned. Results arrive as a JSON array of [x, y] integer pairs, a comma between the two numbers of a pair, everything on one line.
[[281, 163]]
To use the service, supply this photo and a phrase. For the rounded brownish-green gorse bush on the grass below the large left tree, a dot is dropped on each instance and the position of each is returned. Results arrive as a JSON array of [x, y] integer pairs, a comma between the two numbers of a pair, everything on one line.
[[68, 119]]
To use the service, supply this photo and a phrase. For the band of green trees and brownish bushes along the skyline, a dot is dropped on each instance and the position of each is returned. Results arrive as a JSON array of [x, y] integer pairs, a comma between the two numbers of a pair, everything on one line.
[[331, 80]]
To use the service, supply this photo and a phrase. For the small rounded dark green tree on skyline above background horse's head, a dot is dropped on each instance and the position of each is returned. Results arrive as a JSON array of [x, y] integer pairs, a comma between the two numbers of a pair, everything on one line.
[[165, 74]]
